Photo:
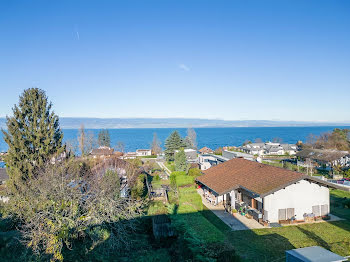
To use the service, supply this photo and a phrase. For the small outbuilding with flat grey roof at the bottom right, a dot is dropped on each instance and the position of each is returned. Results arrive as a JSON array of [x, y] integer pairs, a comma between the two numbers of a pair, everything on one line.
[[313, 254]]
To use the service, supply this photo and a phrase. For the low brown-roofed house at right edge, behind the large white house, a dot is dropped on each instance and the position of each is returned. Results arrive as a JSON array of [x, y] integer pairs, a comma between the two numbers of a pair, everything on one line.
[[323, 158]]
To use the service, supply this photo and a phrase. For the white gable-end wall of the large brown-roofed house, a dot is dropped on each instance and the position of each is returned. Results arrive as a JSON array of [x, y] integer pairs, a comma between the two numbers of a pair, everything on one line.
[[300, 196]]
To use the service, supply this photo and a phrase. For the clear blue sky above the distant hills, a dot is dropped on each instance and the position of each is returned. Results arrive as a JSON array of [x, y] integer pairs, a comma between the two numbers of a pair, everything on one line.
[[234, 60]]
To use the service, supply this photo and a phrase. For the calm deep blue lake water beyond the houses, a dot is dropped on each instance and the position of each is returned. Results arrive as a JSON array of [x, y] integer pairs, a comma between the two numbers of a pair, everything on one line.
[[211, 137]]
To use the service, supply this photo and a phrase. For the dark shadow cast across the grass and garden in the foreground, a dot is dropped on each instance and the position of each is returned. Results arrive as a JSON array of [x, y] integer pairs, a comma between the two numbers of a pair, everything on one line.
[[199, 236]]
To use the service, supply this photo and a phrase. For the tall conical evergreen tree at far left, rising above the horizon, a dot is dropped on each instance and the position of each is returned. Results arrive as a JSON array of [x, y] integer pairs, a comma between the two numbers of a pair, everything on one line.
[[33, 135]]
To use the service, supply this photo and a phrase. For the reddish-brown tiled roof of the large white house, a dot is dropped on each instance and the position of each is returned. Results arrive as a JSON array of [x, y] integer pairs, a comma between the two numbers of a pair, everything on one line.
[[257, 178]]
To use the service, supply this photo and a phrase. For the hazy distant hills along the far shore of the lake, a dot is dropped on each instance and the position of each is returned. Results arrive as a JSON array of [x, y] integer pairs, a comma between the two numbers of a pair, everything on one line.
[[96, 123]]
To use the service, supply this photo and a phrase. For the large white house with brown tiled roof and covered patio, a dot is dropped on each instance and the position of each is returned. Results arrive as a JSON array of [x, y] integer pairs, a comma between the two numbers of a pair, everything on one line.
[[269, 193]]
